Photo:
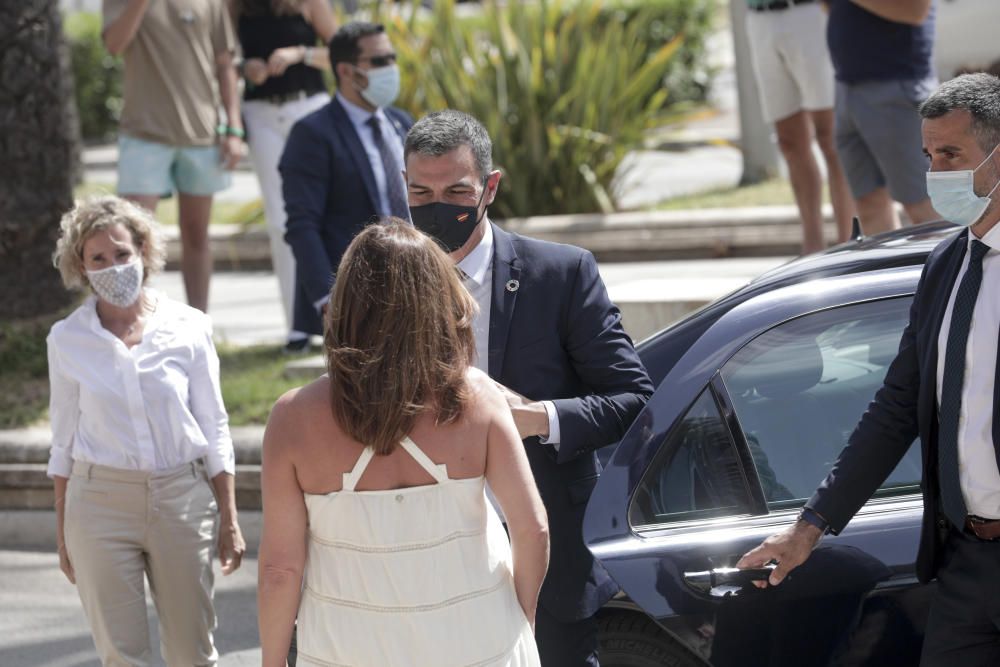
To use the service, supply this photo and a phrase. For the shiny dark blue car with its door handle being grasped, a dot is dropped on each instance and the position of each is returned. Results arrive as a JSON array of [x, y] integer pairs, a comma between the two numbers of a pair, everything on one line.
[[757, 395]]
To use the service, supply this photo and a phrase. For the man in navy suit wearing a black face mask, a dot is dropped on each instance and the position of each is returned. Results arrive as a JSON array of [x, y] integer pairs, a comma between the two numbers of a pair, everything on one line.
[[549, 335]]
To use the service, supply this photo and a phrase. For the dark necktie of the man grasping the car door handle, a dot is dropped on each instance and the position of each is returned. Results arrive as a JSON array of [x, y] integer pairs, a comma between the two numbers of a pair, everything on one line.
[[951, 386]]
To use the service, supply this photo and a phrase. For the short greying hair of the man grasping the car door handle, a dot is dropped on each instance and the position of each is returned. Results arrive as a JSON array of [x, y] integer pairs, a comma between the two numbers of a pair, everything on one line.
[[979, 94]]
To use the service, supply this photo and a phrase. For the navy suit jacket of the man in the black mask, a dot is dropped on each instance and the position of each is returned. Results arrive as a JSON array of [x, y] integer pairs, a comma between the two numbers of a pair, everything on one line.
[[555, 335]]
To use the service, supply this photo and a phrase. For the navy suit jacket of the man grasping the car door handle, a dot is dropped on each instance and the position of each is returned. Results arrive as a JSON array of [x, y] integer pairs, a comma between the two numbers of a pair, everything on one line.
[[905, 406]]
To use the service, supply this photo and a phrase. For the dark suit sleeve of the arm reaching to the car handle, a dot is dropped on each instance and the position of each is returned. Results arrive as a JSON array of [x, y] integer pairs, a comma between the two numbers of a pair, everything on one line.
[[886, 430]]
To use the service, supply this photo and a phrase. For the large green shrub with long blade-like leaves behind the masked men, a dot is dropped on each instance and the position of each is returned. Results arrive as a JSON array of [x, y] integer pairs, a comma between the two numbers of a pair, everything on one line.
[[566, 89]]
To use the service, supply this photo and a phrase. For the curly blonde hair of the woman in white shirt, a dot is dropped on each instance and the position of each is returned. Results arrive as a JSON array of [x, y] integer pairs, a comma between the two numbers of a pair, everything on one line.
[[94, 214]]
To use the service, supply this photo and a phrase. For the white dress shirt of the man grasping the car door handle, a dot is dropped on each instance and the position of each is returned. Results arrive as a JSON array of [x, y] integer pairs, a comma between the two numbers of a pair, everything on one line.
[[977, 463]]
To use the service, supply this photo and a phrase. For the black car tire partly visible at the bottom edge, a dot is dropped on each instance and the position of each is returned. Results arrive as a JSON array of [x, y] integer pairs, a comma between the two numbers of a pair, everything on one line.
[[629, 639]]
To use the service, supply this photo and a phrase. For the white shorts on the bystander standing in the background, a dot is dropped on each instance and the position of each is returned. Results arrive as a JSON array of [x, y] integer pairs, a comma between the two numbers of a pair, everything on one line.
[[790, 57]]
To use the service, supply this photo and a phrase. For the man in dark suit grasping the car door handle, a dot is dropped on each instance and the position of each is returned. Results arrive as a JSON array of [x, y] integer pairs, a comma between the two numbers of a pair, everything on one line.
[[942, 386]]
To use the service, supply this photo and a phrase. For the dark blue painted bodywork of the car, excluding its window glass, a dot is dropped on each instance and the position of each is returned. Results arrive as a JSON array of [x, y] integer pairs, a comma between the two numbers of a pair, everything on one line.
[[857, 597]]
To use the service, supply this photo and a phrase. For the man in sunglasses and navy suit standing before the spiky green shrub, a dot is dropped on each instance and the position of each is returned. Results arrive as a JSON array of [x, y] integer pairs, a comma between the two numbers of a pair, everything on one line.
[[343, 164]]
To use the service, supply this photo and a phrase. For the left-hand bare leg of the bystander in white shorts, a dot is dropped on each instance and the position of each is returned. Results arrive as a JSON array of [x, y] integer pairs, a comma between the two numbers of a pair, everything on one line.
[[795, 142]]
